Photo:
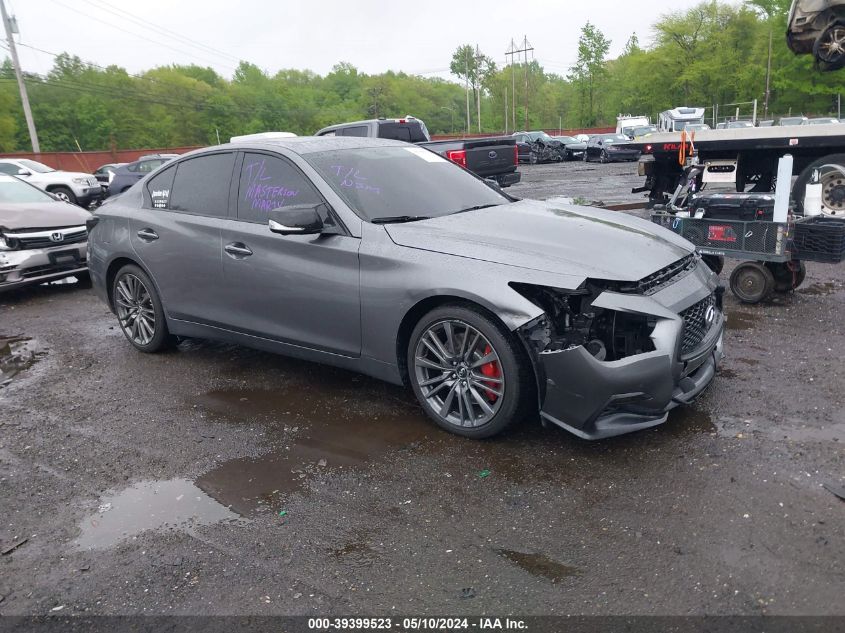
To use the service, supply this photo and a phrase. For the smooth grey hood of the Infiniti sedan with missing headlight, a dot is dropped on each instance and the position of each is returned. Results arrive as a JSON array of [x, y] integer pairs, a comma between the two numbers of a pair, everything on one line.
[[550, 237]]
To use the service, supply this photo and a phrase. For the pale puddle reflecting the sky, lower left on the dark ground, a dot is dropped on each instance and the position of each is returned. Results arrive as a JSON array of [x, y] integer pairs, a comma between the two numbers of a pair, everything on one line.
[[176, 504]]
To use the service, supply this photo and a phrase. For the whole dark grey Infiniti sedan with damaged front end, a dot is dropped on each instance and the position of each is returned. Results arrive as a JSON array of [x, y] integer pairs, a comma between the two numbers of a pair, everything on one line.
[[384, 258]]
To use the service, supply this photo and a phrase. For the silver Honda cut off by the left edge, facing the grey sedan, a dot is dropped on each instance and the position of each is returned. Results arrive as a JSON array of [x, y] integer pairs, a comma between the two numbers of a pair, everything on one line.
[[42, 238]]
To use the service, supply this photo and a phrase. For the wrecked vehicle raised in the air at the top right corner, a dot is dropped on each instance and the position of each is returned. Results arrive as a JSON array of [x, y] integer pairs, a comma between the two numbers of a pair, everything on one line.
[[817, 27]]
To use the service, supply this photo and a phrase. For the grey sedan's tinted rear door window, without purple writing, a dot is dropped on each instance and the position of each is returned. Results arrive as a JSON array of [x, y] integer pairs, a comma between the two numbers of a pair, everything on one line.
[[201, 185]]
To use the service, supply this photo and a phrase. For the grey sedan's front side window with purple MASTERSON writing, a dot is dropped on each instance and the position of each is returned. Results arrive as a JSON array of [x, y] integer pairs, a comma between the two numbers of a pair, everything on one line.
[[267, 183]]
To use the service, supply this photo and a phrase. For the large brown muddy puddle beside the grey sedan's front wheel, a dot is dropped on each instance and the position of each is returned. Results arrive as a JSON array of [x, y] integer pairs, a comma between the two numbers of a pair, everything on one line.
[[328, 431]]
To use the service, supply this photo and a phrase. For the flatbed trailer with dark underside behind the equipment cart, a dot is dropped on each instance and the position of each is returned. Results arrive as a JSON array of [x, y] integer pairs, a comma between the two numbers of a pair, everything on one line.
[[751, 156]]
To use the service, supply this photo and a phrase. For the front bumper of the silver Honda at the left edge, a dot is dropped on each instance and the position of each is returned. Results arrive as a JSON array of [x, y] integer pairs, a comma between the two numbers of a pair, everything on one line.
[[36, 265]]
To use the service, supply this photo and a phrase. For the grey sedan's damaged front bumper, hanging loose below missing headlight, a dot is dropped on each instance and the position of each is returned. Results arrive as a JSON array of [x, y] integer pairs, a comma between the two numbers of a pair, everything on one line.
[[595, 399]]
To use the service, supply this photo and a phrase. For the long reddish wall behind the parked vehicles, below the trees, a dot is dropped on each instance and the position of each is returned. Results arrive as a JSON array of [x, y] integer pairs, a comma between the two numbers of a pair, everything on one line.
[[89, 161]]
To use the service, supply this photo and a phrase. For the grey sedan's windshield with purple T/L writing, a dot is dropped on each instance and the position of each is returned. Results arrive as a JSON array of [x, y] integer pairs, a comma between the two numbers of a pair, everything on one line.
[[386, 182]]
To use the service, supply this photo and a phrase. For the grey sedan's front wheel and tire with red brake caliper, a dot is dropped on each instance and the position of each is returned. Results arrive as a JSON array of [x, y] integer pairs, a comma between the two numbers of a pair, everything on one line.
[[468, 375]]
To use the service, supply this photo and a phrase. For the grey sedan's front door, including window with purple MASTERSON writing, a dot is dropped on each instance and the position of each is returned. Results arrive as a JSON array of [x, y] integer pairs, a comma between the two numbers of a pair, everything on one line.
[[300, 289]]
